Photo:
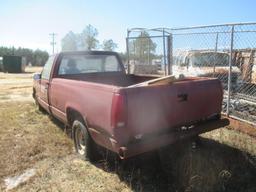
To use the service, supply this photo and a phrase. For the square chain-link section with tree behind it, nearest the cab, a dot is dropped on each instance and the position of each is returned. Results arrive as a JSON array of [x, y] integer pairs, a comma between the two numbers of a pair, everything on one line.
[[147, 51]]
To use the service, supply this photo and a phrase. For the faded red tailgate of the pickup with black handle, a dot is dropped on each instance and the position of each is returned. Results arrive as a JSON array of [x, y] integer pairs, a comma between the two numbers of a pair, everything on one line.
[[152, 109]]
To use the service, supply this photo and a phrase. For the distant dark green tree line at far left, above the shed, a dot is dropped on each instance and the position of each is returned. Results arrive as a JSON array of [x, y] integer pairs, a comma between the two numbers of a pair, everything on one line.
[[34, 57]]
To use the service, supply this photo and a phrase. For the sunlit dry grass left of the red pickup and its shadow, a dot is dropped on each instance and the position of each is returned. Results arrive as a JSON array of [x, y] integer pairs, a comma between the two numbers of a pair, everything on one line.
[[29, 139]]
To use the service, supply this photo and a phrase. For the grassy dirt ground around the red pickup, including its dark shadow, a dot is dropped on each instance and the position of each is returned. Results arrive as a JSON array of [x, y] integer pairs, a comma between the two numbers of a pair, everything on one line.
[[224, 159]]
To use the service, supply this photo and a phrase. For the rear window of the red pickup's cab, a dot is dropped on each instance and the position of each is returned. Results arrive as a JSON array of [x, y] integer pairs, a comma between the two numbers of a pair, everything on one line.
[[79, 64]]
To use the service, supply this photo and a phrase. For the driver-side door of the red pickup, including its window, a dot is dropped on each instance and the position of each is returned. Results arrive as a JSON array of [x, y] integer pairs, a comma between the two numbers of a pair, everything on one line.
[[44, 84]]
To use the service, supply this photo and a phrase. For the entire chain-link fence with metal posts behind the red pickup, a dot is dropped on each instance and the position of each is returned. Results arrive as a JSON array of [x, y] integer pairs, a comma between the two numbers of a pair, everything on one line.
[[226, 52]]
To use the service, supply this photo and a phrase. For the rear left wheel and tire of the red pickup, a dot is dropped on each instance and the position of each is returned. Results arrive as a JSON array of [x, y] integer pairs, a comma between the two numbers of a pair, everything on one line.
[[84, 144]]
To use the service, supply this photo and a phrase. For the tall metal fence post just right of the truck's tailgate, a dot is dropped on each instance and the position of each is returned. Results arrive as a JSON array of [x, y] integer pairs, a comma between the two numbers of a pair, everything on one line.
[[230, 69]]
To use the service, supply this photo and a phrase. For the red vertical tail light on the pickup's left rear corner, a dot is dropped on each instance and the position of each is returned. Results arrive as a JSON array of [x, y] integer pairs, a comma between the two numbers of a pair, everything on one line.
[[118, 113]]
